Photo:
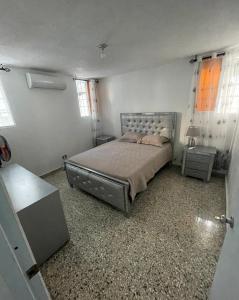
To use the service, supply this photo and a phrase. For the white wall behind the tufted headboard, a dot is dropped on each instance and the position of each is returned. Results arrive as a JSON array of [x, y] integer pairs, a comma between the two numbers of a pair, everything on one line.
[[162, 89]]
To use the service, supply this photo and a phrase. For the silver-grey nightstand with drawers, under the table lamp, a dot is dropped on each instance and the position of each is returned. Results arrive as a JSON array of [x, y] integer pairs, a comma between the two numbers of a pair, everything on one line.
[[198, 162]]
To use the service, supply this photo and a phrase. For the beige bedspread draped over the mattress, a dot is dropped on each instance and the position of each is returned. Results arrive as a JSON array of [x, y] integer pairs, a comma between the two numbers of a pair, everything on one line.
[[135, 163]]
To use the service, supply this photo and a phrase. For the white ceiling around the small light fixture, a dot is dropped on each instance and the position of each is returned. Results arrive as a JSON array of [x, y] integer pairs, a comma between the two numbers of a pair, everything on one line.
[[62, 35]]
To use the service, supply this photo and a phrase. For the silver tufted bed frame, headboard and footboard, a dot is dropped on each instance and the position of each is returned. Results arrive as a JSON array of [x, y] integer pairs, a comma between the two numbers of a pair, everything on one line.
[[111, 189]]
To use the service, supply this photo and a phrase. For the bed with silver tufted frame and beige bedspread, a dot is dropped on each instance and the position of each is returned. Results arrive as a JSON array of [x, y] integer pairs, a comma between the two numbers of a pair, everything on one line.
[[116, 172]]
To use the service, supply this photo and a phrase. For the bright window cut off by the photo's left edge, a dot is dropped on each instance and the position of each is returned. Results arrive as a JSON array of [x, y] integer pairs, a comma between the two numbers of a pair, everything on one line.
[[6, 118]]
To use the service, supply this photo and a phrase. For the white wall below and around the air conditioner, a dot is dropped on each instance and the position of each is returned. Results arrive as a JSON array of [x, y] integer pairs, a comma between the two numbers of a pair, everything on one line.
[[48, 123]]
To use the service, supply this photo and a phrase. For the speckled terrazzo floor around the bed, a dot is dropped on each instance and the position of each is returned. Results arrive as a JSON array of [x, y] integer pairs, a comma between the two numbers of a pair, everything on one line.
[[167, 249]]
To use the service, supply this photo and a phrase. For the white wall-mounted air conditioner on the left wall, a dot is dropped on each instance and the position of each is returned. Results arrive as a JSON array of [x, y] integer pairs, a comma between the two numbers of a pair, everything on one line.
[[45, 82]]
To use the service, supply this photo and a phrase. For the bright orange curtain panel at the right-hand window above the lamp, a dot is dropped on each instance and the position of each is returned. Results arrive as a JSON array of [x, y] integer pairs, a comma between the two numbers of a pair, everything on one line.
[[209, 75]]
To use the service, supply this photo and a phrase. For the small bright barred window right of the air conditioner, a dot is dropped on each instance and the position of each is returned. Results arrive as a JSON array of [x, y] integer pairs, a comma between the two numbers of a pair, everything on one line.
[[83, 97]]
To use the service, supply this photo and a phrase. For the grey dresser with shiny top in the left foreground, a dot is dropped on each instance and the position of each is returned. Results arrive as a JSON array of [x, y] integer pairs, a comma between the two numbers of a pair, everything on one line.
[[39, 209]]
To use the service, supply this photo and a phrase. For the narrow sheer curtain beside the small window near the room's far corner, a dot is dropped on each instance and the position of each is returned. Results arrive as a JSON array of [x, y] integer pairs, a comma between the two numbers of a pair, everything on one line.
[[95, 110]]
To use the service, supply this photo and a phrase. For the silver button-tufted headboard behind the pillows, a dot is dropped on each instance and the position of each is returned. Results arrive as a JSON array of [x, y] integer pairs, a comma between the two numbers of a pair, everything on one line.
[[149, 123]]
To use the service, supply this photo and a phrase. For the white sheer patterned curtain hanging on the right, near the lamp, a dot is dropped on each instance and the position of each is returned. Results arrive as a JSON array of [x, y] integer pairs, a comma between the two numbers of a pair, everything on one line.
[[217, 127]]
